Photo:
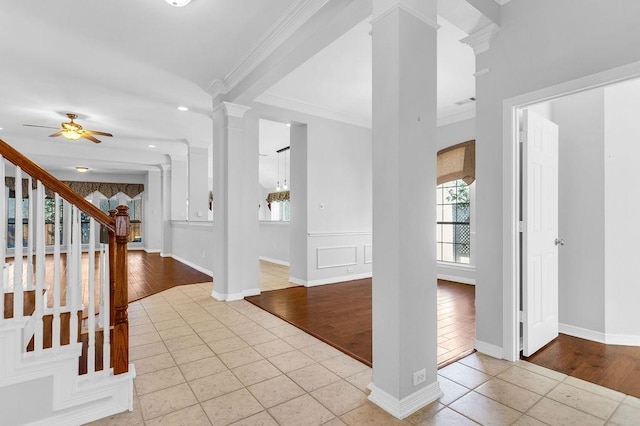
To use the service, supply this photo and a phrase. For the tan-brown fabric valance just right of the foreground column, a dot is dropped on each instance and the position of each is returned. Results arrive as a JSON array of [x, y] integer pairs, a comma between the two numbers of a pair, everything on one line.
[[457, 162]]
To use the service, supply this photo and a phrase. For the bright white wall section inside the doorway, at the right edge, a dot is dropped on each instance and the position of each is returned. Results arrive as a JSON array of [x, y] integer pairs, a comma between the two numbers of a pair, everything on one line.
[[622, 150]]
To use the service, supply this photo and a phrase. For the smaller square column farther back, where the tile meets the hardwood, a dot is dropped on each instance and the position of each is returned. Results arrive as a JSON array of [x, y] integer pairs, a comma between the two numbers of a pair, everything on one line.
[[235, 207]]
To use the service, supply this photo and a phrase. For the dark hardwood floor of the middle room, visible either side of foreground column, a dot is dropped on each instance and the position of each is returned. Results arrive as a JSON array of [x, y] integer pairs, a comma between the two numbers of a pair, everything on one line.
[[340, 314]]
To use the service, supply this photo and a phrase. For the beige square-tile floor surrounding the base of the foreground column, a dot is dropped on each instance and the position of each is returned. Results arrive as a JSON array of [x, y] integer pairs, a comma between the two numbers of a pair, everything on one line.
[[203, 362]]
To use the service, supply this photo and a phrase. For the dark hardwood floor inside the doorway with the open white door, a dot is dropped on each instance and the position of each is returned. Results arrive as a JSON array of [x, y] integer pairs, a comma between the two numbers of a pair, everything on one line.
[[613, 366]]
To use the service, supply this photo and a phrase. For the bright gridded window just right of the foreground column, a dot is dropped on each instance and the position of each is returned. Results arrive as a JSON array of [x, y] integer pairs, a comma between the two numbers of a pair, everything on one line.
[[453, 235]]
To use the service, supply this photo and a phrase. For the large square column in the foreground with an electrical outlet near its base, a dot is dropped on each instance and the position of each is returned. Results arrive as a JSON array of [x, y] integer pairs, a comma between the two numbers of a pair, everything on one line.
[[404, 205]]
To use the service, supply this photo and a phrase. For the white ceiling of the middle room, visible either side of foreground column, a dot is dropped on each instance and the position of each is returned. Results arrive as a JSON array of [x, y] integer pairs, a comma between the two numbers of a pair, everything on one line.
[[342, 84]]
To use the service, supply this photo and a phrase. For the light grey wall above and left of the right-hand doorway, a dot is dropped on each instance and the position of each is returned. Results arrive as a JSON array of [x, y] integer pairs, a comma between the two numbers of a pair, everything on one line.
[[540, 44]]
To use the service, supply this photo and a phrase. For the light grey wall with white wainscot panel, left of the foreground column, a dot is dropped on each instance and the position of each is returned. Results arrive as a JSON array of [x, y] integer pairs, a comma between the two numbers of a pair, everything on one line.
[[337, 201]]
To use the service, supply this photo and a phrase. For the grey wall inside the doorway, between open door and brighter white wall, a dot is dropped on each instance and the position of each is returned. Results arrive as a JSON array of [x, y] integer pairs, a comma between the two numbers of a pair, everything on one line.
[[581, 221]]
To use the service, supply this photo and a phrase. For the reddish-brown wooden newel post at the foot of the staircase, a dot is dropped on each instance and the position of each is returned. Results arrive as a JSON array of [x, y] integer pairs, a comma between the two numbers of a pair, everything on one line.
[[120, 343]]
